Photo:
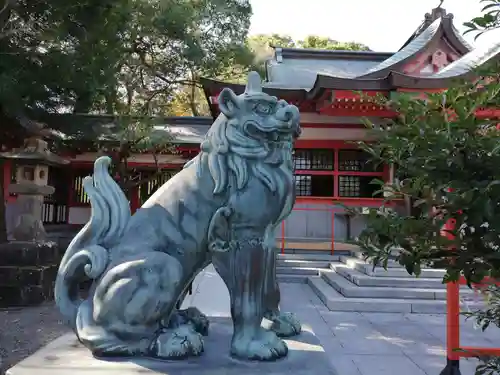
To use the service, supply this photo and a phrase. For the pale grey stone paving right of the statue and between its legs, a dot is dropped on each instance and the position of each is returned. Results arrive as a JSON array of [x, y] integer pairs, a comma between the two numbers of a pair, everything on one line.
[[360, 343]]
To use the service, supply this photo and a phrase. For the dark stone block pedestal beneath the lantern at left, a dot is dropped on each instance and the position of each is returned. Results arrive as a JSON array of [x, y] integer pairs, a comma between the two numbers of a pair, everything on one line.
[[27, 272]]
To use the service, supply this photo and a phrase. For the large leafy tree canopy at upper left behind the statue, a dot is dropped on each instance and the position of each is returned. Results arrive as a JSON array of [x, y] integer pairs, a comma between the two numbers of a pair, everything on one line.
[[128, 58]]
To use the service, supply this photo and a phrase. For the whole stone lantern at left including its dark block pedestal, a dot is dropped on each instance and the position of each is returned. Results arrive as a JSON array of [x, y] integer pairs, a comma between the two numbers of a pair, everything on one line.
[[29, 263]]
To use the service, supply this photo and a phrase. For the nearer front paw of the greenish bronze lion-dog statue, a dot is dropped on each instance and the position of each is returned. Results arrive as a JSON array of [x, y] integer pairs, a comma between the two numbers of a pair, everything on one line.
[[263, 345]]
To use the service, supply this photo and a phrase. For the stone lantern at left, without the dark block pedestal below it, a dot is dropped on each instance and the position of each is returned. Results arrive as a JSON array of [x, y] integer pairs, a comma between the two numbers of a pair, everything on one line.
[[31, 186]]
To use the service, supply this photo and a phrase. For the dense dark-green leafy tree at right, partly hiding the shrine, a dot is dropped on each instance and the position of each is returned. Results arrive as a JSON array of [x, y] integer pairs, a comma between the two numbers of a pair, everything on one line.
[[446, 162]]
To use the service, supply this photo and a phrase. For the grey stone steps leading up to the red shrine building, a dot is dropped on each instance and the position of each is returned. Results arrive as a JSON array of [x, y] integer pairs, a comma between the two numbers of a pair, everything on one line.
[[346, 283]]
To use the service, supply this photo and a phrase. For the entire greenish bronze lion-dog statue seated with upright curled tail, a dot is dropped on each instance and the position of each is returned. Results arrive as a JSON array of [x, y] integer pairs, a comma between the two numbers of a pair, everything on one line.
[[222, 208]]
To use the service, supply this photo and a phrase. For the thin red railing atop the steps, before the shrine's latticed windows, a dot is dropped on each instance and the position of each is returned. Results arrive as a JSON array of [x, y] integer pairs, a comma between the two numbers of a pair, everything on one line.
[[334, 206]]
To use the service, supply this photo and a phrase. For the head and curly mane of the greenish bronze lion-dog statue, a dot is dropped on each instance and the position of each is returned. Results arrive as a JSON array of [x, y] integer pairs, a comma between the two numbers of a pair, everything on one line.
[[254, 132]]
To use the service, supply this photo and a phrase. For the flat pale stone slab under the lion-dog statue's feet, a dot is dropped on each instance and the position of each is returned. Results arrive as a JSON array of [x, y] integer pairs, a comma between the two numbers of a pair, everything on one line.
[[66, 356]]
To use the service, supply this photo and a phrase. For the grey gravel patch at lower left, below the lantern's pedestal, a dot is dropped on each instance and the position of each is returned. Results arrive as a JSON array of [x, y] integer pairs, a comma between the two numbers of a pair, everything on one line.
[[25, 330]]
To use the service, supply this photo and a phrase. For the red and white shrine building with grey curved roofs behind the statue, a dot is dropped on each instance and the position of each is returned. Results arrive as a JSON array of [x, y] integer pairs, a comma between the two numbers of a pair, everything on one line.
[[329, 169]]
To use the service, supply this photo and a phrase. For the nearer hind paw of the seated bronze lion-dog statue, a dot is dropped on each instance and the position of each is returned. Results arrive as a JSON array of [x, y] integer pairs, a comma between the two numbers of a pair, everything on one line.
[[179, 343]]
